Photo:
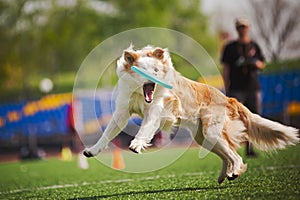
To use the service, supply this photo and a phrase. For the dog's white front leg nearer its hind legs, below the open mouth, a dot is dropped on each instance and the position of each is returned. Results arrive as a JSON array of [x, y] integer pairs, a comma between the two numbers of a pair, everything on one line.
[[150, 124]]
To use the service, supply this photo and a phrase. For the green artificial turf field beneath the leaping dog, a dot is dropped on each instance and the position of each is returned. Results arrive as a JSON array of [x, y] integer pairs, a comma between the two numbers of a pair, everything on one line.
[[269, 176]]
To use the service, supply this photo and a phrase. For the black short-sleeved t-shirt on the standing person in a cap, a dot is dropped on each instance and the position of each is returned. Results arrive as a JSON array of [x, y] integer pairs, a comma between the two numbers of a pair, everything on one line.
[[243, 74]]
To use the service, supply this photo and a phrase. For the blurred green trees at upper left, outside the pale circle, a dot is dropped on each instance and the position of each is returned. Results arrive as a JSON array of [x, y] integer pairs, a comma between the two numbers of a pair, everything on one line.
[[50, 38]]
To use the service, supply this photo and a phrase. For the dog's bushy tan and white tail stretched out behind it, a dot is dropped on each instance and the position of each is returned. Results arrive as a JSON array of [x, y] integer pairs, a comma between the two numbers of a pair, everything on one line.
[[266, 134]]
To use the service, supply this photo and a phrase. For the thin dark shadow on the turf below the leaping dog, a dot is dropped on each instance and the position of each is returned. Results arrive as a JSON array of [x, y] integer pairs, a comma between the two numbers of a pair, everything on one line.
[[151, 192]]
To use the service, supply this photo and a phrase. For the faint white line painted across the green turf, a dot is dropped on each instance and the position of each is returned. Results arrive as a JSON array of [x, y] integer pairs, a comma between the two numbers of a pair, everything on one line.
[[130, 180]]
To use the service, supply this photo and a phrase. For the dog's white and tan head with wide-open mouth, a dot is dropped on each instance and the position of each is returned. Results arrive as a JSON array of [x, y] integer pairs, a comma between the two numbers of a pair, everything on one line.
[[155, 61]]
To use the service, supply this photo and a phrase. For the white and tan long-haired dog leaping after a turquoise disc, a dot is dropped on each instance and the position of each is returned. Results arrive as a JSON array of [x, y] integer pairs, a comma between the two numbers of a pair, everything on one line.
[[223, 123]]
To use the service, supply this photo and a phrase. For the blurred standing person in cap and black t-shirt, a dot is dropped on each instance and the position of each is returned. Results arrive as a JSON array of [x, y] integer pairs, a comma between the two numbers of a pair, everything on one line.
[[241, 60]]
